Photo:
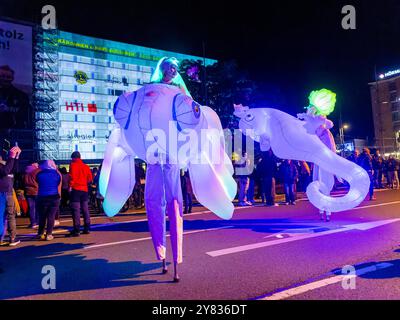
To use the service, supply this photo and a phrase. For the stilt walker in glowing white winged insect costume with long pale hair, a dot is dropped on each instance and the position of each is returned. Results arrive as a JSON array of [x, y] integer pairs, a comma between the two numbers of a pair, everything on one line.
[[154, 124]]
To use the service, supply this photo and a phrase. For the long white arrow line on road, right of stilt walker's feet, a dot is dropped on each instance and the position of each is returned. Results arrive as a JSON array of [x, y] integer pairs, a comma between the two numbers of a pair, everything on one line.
[[359, 226]]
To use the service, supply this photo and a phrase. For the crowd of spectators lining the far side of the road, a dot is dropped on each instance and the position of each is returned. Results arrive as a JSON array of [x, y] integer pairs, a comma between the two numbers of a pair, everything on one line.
[[43, 190]]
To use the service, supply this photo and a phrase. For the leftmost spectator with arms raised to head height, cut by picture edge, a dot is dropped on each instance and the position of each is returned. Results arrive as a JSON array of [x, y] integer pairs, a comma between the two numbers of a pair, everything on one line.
[[6, 196]]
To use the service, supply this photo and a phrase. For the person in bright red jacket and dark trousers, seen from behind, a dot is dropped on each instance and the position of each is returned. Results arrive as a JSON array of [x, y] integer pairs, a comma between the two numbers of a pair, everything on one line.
[[81, 176]]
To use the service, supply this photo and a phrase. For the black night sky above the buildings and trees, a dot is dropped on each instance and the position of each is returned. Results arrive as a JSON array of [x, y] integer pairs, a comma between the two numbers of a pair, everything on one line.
[[290, 47]]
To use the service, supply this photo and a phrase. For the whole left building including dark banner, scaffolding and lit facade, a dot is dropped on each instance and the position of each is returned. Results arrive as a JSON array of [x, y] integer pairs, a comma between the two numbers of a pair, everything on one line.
[[60, 88]]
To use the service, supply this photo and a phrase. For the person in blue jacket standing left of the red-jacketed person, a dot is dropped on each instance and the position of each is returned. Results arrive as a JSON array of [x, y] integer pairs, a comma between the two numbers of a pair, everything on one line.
[[48, 179]]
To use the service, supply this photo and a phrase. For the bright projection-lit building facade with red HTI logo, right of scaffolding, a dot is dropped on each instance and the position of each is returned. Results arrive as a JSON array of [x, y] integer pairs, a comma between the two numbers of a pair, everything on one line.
[[92, 74]]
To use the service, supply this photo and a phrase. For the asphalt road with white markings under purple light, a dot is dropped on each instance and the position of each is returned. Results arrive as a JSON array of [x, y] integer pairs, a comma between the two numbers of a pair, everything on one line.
[[283, 252]]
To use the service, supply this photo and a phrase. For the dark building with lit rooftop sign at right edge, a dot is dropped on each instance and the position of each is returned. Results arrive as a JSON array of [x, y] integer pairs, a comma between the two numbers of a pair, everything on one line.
[[385, 100]]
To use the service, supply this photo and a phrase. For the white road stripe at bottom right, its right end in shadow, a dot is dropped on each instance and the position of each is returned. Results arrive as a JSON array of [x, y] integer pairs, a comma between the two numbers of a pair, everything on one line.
[[323, 283]]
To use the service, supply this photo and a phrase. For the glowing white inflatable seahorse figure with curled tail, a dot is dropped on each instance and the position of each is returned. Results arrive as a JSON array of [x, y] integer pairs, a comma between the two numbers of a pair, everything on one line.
[[291, 138]]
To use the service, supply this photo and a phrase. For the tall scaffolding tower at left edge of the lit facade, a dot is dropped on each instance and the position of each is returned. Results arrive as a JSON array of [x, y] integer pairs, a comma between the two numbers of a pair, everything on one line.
[[46, 93]]
